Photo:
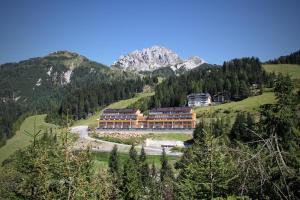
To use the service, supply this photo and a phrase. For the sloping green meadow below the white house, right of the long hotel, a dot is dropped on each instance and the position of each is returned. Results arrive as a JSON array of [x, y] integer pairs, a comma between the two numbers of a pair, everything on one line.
[[230, 110]]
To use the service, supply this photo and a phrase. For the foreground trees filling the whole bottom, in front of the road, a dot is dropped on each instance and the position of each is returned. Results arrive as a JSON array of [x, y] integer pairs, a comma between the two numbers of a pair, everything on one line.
[[253, 159]]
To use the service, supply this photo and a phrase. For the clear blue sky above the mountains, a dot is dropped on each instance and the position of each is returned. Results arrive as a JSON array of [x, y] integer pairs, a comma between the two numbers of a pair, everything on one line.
[[103, 30]]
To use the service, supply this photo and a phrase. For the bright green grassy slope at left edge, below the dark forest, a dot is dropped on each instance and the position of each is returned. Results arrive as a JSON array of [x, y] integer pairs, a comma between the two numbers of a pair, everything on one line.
[[20, 140]]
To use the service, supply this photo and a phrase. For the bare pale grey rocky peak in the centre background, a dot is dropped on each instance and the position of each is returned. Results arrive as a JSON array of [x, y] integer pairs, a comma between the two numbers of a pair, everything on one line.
[[153, 58]]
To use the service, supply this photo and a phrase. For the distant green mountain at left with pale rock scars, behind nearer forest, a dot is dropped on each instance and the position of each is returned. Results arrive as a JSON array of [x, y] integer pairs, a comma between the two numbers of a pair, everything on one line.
[[44, 75]]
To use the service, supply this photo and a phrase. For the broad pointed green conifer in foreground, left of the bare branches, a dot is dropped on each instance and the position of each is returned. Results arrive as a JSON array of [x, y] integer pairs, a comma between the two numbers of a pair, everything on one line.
[[207, 174]]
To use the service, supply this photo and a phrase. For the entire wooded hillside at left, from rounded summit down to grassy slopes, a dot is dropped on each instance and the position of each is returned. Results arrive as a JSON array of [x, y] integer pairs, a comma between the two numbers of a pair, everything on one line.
[[57, 84]]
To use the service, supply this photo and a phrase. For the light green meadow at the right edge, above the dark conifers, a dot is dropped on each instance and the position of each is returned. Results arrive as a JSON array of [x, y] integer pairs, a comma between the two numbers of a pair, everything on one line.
[[291, 69]]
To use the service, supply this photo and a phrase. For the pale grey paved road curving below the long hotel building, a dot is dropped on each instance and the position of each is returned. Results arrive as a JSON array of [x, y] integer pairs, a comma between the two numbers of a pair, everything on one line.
[[107, 146]]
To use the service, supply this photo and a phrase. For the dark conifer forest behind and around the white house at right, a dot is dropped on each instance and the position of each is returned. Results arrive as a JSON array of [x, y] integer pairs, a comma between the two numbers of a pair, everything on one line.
[[234, 79]]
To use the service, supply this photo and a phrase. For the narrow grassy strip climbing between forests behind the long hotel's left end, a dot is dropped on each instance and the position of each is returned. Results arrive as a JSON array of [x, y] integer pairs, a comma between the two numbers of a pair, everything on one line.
[[92, 121]]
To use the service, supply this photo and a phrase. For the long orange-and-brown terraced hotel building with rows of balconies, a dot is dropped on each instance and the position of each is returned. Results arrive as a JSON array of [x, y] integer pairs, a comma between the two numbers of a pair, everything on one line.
[[158, 118]]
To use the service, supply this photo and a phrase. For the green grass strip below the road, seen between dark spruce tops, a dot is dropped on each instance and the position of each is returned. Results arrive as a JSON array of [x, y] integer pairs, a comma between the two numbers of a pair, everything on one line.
[[101, 159]]
